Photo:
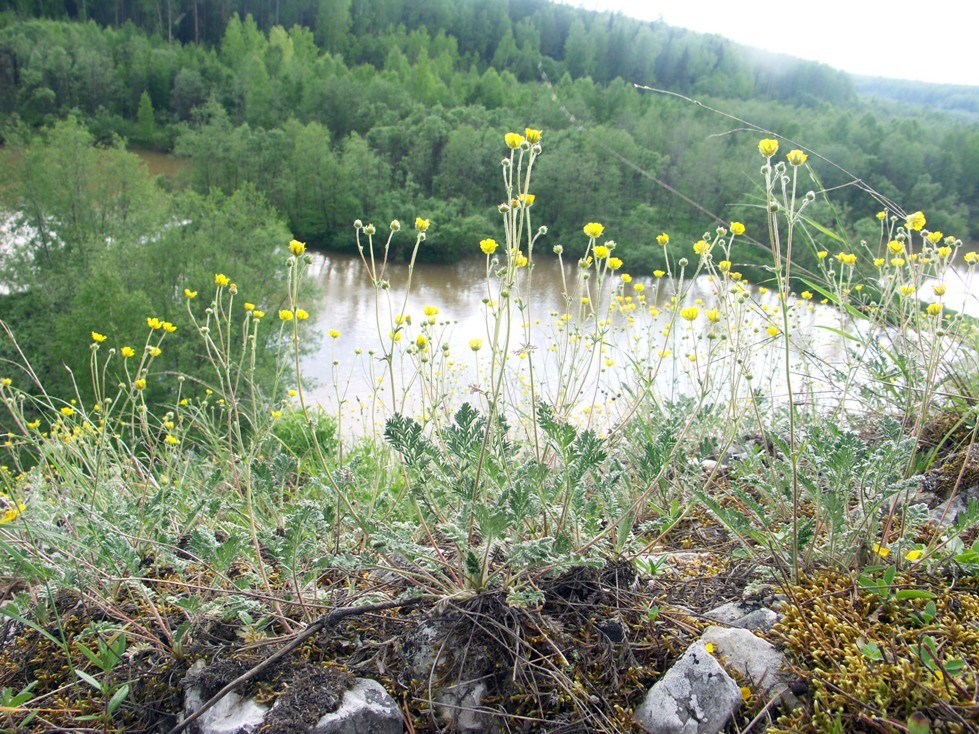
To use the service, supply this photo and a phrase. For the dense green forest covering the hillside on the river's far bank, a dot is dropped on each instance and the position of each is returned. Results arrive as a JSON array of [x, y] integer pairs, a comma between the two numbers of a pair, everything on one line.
[[338, 109]]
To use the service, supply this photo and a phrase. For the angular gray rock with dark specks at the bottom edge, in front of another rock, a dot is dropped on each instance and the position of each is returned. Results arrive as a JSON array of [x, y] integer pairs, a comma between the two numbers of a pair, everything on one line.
[[696, 696]]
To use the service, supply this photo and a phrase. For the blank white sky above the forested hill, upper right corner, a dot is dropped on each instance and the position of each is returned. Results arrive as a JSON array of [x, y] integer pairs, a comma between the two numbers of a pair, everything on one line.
[[933, 41]]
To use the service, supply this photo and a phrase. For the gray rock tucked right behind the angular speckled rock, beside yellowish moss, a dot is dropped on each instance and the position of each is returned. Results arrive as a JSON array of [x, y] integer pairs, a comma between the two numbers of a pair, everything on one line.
[[755, 659]]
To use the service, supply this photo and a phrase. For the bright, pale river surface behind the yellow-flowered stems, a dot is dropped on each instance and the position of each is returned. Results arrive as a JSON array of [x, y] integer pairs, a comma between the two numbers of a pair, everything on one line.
[[640, 336]]
